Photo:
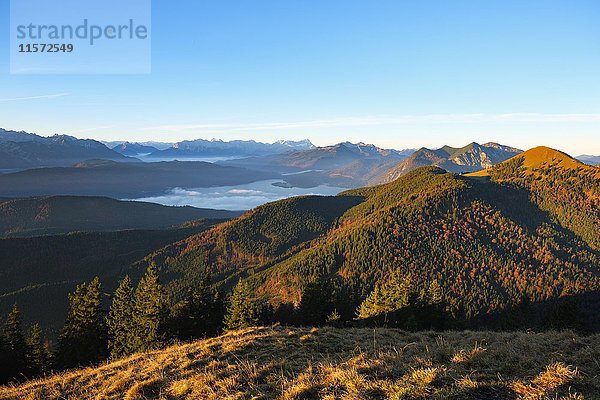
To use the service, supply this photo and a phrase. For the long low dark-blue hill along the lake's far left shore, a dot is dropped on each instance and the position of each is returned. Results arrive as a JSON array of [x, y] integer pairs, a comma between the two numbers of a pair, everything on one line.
[[123, 180]]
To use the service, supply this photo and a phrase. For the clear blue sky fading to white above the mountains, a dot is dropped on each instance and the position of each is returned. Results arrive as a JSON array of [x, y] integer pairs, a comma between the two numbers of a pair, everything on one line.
[[395, 73]]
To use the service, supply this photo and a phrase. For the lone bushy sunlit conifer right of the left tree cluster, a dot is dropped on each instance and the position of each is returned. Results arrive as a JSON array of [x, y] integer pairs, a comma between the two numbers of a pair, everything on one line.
[[243, 309]]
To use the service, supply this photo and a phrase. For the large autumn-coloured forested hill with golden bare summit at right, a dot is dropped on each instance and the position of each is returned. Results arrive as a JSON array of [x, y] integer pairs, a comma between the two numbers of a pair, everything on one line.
[[490, 244]]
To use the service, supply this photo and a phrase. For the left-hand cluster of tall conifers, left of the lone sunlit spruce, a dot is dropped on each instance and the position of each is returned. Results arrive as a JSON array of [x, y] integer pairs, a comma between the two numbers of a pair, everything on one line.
[[139, 318]]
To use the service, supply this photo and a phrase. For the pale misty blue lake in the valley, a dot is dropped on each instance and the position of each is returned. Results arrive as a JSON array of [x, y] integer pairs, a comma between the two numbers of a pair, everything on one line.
[[240, 197]]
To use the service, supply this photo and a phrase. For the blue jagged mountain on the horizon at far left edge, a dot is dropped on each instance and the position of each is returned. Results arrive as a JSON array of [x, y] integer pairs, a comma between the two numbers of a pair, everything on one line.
[[20, 150]]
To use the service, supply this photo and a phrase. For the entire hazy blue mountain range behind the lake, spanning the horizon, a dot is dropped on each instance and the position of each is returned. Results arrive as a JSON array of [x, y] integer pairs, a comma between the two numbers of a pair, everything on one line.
[[297, 163]]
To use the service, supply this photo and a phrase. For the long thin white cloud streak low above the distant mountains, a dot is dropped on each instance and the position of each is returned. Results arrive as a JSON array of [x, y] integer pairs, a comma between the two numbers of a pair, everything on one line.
[[382, 120]]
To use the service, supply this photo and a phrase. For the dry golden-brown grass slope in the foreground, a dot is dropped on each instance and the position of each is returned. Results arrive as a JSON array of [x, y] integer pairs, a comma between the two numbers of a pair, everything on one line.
[[329, 363]]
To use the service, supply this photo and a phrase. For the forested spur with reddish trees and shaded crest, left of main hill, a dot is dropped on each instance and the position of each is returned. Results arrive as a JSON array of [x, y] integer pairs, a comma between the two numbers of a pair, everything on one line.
[[260, 237]]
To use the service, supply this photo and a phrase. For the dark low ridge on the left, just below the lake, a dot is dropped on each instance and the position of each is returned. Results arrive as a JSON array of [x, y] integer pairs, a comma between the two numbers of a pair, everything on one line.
[[64, 214]]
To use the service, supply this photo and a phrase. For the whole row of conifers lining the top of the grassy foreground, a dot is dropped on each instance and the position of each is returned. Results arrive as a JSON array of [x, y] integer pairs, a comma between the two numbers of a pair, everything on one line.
[[146, 317]]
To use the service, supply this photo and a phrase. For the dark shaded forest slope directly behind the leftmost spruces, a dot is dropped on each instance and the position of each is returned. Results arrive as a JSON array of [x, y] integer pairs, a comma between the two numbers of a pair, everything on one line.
[[37, 273]]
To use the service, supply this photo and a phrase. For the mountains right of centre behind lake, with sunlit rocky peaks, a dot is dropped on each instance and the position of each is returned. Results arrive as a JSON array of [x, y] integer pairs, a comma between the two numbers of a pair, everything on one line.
[[354, 165]]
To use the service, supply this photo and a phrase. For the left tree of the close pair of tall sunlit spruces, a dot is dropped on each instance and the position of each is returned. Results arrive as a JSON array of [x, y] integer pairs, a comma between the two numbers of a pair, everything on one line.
[[120, 320]]
